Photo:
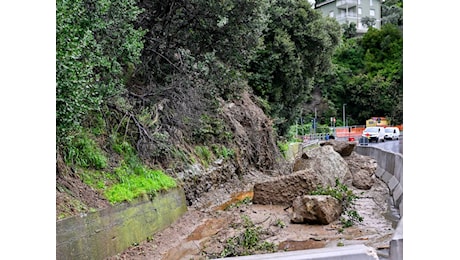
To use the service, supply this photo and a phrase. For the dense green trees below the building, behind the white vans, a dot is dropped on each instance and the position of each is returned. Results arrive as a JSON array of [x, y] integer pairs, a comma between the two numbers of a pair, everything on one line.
[[367, 75]]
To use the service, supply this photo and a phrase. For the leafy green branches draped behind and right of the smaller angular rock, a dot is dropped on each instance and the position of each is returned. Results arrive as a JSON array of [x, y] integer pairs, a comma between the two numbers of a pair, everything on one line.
[[346, 196]]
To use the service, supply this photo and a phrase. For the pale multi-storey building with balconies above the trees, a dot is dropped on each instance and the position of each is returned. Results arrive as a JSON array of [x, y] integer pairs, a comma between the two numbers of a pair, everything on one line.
[[348, 11]]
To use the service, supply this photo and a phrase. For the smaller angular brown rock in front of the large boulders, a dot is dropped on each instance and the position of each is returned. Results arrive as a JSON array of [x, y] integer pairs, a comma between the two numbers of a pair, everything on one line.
[[316, 209]]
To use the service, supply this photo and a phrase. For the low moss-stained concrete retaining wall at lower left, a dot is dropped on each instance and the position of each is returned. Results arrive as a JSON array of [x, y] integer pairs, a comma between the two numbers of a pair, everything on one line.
[[110, 231]]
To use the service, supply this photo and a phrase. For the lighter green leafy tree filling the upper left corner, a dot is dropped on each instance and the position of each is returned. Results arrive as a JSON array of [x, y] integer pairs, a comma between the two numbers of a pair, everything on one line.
[[96, 42]]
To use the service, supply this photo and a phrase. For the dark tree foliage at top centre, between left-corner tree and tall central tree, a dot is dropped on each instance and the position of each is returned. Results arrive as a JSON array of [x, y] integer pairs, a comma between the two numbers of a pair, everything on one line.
[[198, 29]]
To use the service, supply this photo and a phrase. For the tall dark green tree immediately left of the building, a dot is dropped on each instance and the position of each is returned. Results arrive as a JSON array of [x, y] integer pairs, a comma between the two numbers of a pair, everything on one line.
[[298, 43]]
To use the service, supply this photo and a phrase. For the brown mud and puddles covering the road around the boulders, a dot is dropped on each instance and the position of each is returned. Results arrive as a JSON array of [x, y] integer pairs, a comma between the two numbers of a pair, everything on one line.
[[201, 233]]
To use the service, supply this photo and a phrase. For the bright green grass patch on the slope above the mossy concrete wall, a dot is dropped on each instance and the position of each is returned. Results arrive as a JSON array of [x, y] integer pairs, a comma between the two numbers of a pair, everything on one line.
[[125, 182]]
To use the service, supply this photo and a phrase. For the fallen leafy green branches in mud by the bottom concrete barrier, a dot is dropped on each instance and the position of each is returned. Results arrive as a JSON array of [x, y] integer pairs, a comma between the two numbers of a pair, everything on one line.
[[248, 242]]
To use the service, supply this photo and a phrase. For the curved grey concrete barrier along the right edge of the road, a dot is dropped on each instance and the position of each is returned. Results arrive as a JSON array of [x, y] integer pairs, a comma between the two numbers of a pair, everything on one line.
[[390, 170]]
